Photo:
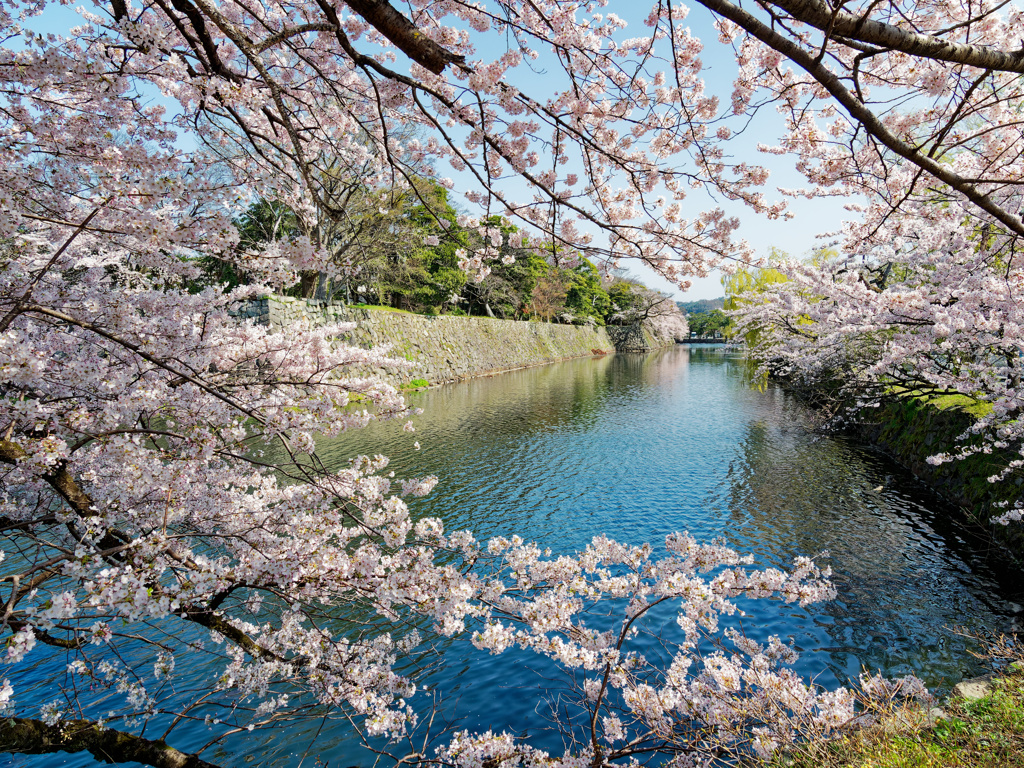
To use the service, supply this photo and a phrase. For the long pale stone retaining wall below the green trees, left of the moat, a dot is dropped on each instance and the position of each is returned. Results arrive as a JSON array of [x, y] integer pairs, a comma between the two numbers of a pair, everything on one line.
[[446, 349]]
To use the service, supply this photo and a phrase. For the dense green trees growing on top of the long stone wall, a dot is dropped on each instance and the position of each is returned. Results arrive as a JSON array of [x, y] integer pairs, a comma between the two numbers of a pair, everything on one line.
[[421, 271]]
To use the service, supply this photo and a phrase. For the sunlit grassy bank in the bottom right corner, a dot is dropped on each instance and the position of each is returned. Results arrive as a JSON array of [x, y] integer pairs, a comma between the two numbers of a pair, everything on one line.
[[986, 734]]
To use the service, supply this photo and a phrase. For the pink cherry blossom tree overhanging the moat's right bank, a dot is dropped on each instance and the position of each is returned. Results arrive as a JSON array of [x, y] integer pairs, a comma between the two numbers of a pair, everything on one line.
[[915, 112]]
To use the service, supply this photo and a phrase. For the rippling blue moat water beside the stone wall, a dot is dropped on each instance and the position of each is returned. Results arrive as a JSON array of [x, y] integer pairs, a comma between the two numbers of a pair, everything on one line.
[[637, 447]]
